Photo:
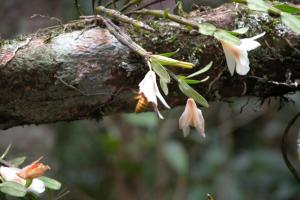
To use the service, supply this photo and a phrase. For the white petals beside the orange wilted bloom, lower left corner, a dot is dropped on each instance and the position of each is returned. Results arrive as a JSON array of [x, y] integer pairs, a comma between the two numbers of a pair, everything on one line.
[[11, 174]]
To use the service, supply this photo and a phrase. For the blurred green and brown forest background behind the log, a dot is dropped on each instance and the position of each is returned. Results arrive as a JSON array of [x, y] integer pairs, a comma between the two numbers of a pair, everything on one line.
[[131, 156]]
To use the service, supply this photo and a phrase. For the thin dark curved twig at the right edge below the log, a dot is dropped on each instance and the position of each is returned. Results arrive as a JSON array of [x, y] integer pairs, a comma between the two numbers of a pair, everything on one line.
[[284, 146]]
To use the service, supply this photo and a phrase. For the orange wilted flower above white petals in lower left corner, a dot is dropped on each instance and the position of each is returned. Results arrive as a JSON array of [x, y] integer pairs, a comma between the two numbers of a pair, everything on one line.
[[34, 170]]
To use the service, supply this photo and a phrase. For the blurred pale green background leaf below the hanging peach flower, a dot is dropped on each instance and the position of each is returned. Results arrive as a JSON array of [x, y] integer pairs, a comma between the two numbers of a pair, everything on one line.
[[176, 156]]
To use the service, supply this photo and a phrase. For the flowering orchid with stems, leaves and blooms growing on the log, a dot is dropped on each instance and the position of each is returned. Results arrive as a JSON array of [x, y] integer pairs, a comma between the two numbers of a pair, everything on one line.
[[235, 49]]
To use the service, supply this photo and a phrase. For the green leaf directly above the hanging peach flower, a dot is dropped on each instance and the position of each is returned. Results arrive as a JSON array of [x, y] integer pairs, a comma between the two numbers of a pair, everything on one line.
[[190, 92]]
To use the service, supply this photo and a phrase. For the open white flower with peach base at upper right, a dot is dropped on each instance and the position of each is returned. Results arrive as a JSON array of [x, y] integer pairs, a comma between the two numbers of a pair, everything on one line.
[[237, 55]]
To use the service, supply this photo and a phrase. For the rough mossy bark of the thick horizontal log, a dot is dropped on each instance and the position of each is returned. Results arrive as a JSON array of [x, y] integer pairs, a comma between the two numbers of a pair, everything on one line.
[[71, 72]]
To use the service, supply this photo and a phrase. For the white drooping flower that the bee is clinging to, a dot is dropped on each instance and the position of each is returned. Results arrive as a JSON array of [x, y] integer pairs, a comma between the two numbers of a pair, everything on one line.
[[148, 89]]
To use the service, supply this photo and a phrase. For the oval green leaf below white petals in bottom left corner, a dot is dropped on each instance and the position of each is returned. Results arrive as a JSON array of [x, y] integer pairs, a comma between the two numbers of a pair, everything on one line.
[[13, 189]]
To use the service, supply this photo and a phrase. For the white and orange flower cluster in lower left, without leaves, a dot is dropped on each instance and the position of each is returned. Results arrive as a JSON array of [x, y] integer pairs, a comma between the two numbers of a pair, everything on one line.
[[29, 173]]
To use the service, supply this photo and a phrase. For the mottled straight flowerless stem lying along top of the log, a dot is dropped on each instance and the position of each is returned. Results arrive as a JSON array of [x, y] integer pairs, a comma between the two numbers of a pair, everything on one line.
[[123, 18]]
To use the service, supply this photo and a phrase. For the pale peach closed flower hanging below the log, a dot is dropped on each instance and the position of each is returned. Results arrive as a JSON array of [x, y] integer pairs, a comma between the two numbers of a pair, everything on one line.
[[192, 116]]
